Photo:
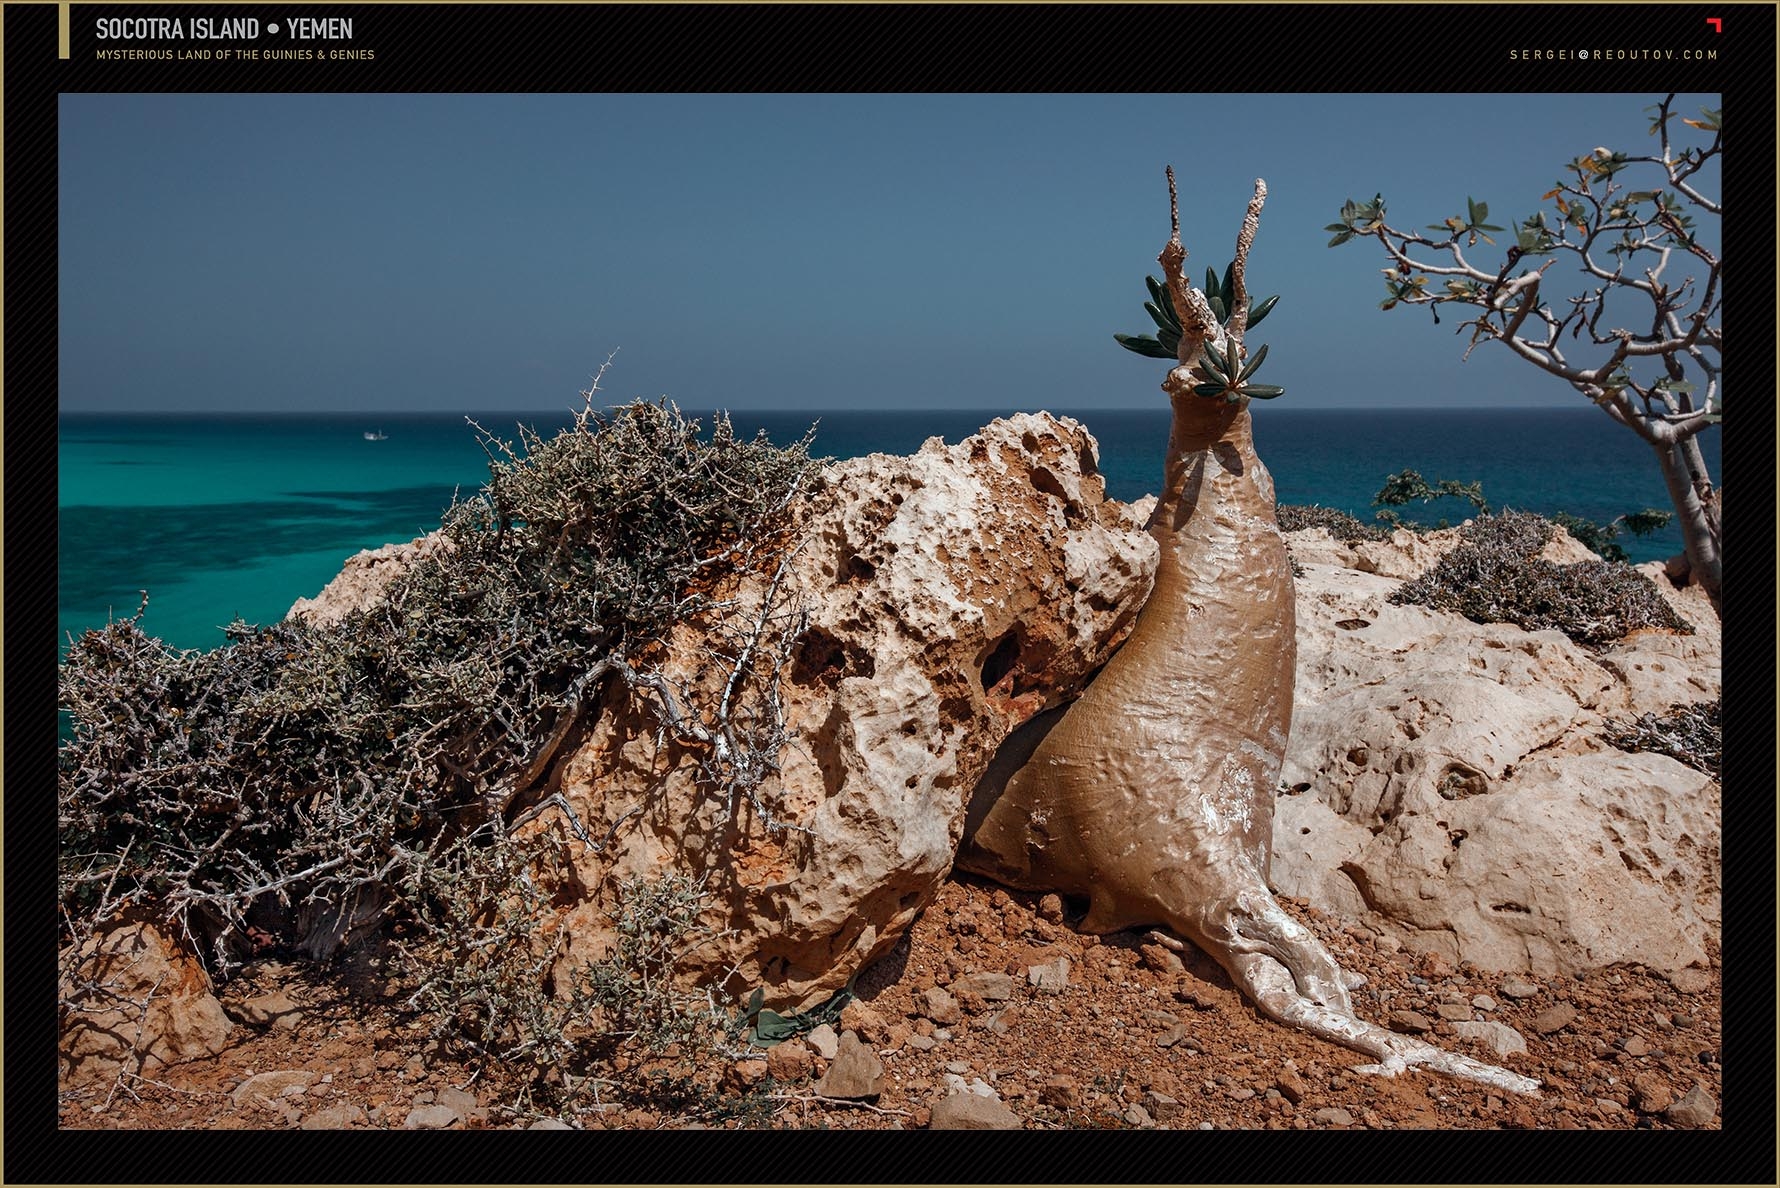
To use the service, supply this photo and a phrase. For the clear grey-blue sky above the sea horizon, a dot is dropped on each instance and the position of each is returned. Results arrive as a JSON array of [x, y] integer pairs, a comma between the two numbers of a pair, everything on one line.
[[396, 252]]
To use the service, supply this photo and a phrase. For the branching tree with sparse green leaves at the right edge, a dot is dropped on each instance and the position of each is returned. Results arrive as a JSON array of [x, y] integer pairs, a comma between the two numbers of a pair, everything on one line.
[[1644, 339]]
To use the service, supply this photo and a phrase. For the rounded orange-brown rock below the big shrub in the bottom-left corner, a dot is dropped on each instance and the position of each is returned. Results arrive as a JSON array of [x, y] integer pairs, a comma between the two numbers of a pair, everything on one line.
[[154, 1007]]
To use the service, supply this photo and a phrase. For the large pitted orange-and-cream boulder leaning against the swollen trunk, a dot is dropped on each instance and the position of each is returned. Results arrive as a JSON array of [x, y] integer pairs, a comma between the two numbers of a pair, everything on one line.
[[950, 596]]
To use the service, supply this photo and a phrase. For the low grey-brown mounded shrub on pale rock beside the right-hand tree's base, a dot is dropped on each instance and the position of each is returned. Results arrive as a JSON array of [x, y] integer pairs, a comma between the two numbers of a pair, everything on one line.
[[1496, 576]]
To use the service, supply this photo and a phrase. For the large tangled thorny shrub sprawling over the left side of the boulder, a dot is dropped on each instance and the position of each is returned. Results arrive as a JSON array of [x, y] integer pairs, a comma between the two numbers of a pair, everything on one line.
[[303, 785]]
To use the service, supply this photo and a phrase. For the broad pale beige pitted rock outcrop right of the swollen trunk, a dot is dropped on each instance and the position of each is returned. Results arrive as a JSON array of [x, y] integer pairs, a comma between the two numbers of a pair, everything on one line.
[[1446, 781]]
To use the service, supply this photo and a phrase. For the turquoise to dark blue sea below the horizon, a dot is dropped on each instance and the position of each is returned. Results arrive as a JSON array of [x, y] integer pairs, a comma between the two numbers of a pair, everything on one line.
[[223, 517]]
